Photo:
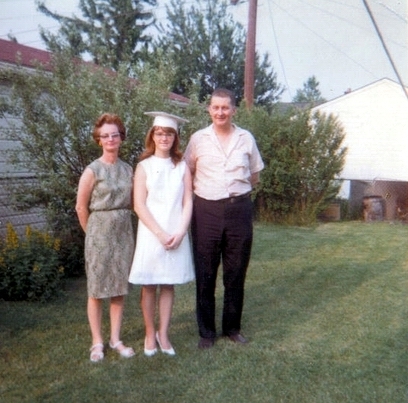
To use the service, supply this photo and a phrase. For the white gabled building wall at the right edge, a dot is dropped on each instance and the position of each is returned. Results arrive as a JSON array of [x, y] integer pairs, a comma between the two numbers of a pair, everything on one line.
[[375, 121]]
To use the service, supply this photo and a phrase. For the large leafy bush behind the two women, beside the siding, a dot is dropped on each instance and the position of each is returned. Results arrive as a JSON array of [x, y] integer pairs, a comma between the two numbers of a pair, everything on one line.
[[56, 113]]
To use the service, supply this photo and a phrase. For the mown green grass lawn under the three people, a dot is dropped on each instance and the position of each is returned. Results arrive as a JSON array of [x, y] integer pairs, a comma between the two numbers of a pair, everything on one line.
[[325, 310]]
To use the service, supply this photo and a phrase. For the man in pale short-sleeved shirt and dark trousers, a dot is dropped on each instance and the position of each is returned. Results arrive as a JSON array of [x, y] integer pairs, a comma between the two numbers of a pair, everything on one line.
[[225, 162]]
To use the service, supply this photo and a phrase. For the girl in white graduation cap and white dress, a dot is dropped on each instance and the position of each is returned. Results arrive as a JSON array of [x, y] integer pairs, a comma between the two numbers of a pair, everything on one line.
[[163, 203]]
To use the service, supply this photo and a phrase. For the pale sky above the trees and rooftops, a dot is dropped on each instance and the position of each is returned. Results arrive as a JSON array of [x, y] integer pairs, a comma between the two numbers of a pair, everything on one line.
[[333, 40]]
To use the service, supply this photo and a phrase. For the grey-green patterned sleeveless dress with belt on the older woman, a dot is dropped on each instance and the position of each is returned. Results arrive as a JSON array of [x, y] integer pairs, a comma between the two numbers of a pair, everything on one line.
[[110, 238]]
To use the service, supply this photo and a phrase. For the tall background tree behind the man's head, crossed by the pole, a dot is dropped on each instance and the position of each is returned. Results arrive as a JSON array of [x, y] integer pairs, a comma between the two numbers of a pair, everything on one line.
[[207, 47]]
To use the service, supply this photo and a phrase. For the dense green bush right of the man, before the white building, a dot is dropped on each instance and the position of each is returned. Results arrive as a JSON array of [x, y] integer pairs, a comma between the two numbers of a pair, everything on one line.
[[303, 157]]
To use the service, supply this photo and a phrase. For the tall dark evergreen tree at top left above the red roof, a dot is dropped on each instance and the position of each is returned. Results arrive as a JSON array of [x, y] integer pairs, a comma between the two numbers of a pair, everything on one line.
[[112, 31]]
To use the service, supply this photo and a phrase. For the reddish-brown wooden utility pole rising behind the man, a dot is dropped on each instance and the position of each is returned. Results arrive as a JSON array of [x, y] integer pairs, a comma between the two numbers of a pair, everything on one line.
[[250, 55]]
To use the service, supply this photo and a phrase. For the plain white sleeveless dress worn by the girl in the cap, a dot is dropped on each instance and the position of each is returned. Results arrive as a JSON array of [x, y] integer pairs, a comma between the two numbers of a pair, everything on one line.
[[152, 264]]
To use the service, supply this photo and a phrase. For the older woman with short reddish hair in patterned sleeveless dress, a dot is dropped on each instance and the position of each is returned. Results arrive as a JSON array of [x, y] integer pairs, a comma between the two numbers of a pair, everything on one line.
[[104, 209]]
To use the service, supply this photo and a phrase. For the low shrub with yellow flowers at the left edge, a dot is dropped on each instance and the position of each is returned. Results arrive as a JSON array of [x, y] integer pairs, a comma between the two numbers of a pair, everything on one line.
[[29, 268]]
